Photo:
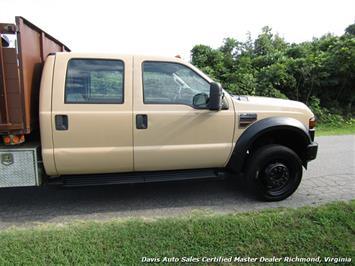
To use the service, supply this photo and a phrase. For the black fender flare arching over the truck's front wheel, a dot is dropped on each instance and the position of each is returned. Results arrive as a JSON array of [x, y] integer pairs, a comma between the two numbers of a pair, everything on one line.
[[259, 128]]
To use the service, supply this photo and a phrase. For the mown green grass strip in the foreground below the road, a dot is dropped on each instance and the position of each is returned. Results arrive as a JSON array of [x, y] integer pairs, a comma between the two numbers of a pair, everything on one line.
[[328, 230]]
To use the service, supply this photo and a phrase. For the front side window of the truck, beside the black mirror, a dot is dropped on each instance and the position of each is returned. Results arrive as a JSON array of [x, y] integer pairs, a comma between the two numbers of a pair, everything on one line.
[[171, 83]]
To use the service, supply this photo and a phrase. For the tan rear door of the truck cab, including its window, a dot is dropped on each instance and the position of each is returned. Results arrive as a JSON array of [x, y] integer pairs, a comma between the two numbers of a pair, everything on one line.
[[92, 114]]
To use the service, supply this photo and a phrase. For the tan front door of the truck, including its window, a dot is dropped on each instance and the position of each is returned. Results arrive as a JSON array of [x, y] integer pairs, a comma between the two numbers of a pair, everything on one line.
[[169, 133]]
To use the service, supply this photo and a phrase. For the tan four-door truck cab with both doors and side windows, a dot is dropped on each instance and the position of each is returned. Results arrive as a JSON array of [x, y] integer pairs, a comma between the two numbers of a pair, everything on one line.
[[111, 113]]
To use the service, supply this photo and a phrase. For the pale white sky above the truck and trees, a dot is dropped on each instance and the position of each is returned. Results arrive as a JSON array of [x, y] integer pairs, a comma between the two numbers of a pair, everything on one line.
[[172, 27]]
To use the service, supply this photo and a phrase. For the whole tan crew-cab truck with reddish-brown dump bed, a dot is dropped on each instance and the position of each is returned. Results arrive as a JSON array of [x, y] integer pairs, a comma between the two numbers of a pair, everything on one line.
[[110, 119]]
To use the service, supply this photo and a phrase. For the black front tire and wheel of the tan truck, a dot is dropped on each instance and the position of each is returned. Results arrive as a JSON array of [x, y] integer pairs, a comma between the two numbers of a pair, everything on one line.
[[273, 172]]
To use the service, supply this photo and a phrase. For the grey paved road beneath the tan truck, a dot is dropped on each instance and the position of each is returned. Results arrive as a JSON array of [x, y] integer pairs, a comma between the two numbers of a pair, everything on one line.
[[330, 177]]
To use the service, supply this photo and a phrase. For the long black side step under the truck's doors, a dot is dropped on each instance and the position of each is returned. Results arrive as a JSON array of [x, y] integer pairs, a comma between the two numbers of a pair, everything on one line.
[[140, 177]]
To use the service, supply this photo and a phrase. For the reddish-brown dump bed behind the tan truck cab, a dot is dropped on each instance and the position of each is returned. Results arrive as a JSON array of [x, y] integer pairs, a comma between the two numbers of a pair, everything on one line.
[[20, 74]]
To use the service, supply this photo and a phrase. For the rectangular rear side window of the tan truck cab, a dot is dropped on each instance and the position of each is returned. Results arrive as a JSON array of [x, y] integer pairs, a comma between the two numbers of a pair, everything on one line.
[[94, 81]]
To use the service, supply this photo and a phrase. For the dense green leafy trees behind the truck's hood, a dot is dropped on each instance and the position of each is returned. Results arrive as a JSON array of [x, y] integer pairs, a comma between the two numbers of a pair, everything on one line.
[[320, 73]]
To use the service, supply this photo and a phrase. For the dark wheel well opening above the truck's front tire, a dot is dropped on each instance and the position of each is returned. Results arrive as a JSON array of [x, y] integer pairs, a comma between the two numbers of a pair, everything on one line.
[[289, 138]]
